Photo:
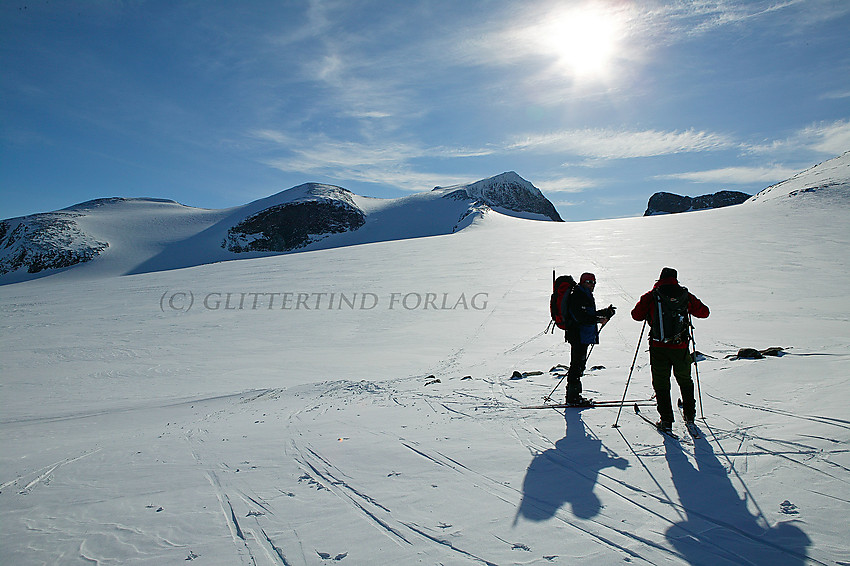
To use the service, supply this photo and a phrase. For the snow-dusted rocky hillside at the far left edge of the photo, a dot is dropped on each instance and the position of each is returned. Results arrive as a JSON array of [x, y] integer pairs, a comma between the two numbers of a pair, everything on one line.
[[45, 241]]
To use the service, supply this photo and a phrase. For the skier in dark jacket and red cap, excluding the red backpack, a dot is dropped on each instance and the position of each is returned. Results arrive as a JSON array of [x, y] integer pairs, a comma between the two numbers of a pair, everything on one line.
[[582, 331]]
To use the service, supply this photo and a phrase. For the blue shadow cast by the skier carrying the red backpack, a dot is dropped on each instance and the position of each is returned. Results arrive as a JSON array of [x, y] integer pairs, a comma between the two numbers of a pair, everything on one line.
[[566, 474]]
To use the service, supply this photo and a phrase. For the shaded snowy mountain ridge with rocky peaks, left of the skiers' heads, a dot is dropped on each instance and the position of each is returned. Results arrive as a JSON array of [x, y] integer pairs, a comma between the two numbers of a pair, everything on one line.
[[120, 236]]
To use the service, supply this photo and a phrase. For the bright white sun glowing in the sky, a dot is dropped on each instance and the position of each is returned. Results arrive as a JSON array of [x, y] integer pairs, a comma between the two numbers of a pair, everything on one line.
[[585, 40]]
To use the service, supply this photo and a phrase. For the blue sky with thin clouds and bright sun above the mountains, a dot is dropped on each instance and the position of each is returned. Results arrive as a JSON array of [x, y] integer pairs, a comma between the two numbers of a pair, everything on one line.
[[598, 103]]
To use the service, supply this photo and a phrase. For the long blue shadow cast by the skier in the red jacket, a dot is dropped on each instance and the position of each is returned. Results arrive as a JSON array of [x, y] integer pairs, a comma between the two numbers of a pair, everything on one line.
[[718, 527]]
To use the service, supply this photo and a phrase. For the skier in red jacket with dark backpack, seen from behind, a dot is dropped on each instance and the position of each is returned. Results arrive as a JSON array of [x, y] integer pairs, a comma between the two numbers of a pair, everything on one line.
[[671, 351]]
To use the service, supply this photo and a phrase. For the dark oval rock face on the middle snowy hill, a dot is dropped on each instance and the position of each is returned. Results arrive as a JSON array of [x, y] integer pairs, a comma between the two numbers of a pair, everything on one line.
[[323, 210]]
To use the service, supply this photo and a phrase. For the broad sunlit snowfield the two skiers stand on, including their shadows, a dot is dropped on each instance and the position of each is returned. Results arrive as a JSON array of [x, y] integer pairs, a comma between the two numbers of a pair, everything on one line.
[[356, 405]]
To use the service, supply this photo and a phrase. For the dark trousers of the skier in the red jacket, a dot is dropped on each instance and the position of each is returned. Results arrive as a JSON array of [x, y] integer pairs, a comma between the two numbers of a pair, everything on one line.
[[679, 360]]
